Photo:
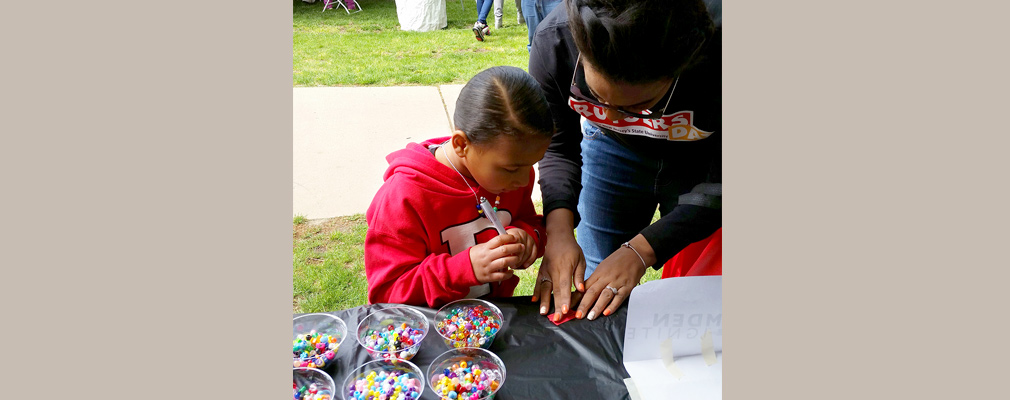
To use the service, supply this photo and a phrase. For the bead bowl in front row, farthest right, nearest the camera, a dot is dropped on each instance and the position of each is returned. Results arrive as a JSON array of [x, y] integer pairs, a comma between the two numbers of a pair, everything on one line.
[[468, 374]]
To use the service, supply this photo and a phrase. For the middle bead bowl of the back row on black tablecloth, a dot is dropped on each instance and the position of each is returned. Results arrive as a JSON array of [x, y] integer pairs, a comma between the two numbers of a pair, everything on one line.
[[393, 334]]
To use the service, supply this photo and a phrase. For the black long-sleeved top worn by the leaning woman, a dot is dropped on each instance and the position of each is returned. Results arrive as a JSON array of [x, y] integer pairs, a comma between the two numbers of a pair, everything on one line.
[[698, 215]]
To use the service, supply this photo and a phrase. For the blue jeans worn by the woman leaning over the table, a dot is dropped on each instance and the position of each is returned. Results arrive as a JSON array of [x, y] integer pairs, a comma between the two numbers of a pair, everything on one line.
[[621, 192]]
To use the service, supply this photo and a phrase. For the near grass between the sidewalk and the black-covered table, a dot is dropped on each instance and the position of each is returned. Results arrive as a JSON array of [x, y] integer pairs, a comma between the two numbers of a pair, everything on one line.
[[330, 265]]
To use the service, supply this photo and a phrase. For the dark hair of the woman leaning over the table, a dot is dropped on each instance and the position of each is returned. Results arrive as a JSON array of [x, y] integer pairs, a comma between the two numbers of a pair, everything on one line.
[[640, 41]]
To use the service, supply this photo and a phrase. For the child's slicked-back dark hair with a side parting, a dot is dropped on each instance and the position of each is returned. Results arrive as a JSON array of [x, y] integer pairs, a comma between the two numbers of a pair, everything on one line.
[[502, 101]]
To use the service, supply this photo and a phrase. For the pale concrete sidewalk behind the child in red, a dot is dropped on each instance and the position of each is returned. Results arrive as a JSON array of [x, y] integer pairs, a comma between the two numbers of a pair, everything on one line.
[[342, 137]]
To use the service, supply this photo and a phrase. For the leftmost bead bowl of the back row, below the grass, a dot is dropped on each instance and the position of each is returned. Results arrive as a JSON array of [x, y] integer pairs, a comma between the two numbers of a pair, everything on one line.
[[317, 340]]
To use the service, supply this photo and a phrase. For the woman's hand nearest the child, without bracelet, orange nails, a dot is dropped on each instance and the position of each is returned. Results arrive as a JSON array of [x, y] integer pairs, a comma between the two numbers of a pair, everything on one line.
[[563, 261]]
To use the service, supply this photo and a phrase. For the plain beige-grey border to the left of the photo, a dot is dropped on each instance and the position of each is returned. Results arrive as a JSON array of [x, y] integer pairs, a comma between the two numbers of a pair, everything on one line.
[[147, 164]]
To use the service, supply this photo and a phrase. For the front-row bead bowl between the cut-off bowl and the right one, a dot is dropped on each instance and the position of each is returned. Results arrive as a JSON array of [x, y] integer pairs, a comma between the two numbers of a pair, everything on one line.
[[384, 379]]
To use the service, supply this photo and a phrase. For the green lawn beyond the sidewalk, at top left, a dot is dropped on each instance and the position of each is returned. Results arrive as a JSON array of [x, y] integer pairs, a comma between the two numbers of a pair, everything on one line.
[[368, 48]]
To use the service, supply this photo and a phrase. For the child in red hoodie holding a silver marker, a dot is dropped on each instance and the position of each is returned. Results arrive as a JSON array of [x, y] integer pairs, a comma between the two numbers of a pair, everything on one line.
[[428, 244]]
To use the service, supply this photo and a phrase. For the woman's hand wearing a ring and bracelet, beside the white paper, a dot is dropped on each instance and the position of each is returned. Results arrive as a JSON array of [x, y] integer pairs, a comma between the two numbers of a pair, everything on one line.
[[623, 271]]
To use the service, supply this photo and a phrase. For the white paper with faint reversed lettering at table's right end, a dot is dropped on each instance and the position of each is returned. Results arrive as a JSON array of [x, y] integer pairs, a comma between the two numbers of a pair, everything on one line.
[[673, 342]]
